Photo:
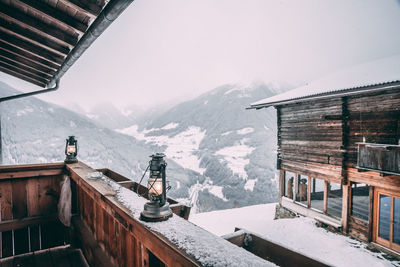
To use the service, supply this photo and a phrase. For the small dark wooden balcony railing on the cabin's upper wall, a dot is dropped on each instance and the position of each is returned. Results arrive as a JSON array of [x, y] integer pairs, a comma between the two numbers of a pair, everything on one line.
[[383, 158]]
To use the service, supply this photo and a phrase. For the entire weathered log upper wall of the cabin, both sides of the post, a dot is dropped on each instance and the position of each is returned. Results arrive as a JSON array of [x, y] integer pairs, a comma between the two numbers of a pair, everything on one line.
[[318, 137]]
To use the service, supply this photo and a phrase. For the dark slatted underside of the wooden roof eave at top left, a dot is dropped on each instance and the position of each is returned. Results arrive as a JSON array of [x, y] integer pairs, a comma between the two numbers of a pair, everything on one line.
[[40, 42]]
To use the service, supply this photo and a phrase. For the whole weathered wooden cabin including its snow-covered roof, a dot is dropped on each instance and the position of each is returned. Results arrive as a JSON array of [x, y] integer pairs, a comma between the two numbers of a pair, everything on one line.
[[339, 151]]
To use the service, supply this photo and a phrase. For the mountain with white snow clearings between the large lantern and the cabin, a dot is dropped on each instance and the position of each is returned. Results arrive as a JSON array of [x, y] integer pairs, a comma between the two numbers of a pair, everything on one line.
[[232, 149]]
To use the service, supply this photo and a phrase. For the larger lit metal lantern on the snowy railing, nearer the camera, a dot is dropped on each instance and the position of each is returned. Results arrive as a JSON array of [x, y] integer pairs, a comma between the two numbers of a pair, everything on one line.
[[157, 186]]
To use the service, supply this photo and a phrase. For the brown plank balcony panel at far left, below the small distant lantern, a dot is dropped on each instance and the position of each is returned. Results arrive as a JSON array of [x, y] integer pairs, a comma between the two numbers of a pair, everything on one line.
[[28, 201]]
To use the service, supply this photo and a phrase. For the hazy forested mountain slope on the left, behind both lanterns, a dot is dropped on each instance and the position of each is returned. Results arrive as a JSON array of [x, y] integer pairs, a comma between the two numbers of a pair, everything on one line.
[[34, 131]]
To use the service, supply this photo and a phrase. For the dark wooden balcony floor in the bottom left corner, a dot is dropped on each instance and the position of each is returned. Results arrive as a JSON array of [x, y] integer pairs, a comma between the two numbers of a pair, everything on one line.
[[60, 257]]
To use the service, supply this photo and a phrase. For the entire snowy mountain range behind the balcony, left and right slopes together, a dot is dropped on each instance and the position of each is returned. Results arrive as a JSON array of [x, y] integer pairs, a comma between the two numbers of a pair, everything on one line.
[[219, 154]]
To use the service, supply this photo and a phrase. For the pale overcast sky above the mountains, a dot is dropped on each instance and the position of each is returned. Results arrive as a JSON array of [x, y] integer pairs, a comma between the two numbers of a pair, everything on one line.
[[168, 50]]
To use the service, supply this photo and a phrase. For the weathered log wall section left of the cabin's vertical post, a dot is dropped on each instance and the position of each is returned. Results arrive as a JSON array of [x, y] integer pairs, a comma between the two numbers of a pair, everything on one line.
[[310, 137]]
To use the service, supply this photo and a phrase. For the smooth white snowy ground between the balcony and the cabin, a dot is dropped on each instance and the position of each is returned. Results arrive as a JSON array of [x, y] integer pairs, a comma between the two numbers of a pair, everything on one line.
[[299, 234]]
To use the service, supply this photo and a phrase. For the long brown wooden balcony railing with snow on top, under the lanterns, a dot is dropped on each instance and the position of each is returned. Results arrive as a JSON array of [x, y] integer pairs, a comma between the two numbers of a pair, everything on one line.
[[105, 225]]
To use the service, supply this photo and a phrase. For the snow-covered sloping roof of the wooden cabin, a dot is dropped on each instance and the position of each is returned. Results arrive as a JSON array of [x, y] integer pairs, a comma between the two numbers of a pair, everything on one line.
[[374, 75]]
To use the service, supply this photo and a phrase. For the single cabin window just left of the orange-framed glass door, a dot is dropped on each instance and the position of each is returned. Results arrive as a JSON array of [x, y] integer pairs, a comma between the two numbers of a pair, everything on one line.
[[360, 201]]
